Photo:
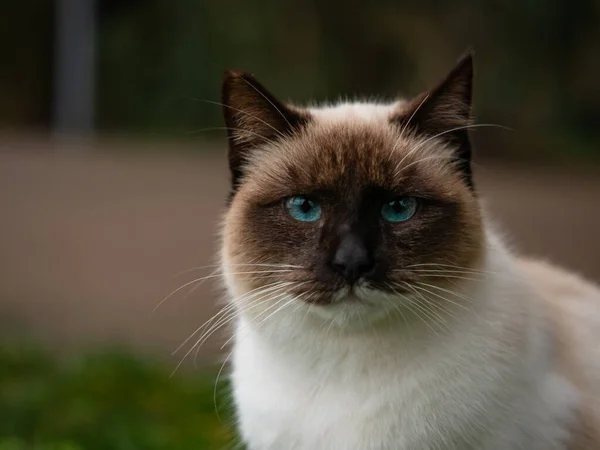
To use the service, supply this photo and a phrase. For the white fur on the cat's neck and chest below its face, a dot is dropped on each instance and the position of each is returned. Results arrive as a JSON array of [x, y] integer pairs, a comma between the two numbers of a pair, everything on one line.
[[489, 382]]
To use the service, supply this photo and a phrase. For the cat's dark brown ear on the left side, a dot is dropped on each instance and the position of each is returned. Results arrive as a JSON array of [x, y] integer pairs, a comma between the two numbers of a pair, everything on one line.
[[253, 117]]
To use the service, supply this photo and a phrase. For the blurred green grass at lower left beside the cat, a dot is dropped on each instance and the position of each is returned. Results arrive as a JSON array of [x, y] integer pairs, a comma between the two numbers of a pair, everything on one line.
[[106, 401]]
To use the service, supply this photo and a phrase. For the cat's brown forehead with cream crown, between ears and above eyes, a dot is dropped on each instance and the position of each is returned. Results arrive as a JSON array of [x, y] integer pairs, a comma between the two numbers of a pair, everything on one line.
[[353, 146]]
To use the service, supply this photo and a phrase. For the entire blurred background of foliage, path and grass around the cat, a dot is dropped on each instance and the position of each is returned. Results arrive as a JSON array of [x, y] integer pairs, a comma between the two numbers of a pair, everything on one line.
[[113, 178]]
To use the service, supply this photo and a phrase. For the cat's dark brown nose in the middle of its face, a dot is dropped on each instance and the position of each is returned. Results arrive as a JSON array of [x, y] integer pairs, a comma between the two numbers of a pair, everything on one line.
[[352, 259]]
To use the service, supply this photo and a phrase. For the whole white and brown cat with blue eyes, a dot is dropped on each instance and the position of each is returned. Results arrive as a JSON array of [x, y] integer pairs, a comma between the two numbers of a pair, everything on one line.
[[376, 306]]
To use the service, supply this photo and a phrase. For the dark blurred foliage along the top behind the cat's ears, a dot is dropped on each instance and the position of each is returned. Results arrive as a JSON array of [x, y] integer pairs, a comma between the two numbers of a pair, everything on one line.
[[537, 60]]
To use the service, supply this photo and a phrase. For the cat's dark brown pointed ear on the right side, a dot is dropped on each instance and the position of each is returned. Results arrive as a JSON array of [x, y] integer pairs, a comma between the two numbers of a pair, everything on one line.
[[445, 111]]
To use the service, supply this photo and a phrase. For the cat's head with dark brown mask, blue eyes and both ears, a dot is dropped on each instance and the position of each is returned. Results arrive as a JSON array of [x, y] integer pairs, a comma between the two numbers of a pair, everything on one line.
[[354, 207]]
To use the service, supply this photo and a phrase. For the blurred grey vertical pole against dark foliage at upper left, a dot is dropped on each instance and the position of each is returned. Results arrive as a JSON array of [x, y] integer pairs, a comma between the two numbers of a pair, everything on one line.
[[74, 66]]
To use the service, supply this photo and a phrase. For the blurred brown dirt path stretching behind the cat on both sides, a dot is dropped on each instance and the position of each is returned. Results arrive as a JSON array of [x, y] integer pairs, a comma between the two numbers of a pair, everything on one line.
[[90, 244]]
